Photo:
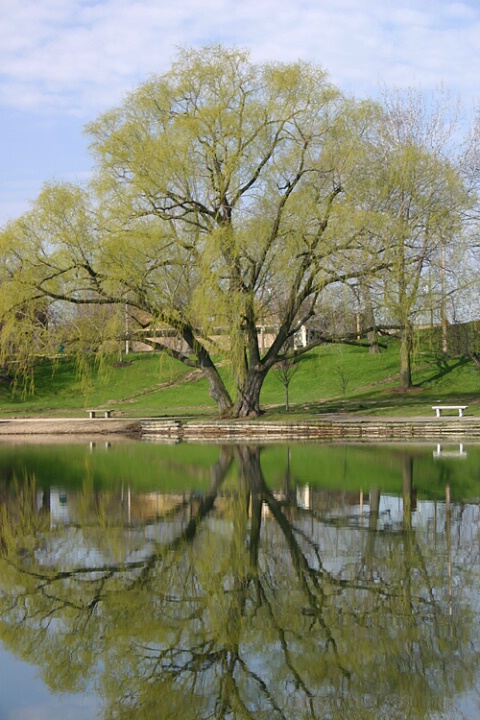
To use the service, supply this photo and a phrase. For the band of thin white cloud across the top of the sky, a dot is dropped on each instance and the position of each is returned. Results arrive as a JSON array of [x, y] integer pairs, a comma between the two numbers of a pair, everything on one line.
[[79, 56]]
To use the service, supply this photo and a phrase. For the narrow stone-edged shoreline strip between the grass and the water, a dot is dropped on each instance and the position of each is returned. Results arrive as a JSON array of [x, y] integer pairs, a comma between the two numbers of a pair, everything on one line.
[[325, 428]]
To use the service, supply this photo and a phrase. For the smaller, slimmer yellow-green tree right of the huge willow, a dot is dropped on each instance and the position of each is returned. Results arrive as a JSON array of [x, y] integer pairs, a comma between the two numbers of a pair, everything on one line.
[[417, 196]]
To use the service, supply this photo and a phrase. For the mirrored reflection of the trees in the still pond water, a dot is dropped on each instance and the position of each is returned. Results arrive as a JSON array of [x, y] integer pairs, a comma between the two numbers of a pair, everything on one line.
[[250, 608]]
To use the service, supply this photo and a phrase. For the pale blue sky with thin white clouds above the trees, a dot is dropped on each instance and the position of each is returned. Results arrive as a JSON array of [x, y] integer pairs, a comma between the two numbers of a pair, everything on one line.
[[63, 62]]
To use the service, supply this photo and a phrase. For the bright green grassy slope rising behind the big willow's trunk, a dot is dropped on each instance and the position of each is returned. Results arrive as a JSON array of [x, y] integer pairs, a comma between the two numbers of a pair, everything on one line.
[[340, 379]]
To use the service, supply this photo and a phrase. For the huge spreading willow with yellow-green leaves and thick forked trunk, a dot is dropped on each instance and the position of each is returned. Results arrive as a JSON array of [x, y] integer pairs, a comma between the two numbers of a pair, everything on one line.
[[221, 197]]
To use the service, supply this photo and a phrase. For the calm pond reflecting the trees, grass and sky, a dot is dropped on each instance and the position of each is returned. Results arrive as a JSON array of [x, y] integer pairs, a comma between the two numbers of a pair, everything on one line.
[[141, 580]]
